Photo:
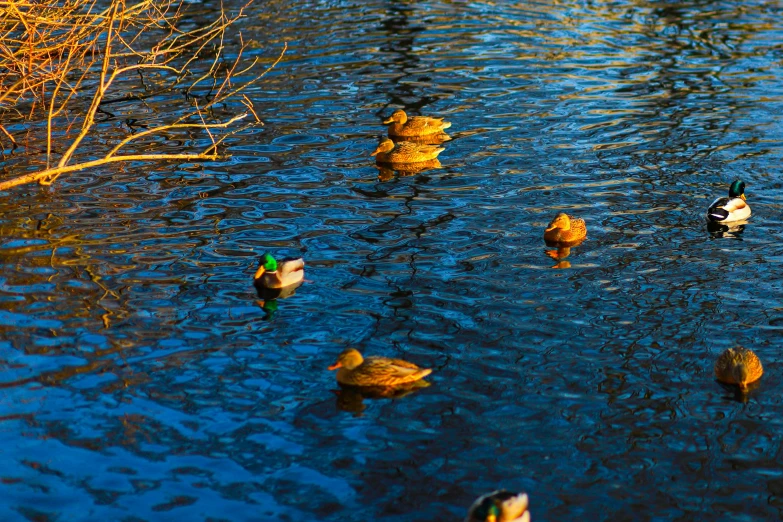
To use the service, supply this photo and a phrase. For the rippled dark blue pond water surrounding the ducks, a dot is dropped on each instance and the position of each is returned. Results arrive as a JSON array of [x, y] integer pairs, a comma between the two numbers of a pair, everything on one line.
[[143, 378]]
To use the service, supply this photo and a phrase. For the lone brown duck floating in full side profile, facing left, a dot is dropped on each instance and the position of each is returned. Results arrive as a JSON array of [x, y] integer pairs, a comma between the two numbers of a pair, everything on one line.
[[355, 370]]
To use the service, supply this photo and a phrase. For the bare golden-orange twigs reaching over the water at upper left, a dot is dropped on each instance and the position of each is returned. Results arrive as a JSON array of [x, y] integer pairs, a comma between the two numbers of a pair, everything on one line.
[[53, 52]]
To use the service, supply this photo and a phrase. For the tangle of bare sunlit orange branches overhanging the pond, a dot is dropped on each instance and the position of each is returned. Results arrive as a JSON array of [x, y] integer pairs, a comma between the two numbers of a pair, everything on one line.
[[64, 64]]
